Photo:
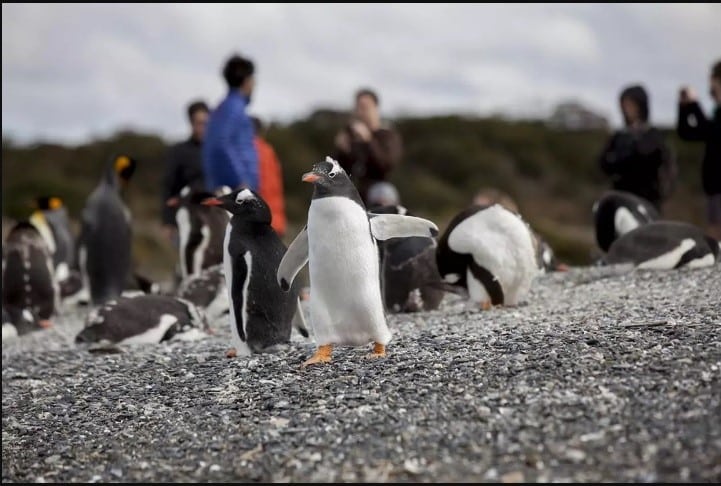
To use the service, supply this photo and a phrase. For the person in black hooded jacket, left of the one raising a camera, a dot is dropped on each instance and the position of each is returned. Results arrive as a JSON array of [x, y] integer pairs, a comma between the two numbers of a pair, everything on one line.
[[637, 158]]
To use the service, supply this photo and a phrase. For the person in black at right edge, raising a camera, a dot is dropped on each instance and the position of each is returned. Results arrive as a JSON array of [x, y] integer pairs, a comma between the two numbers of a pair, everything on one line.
[[694, 126]]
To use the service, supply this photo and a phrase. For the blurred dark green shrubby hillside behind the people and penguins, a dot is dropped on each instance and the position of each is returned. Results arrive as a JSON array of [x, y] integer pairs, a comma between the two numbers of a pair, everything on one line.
[[552, 174]]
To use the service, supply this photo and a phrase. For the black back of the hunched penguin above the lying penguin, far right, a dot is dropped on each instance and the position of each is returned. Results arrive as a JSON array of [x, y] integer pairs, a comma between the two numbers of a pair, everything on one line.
[[605, 214]]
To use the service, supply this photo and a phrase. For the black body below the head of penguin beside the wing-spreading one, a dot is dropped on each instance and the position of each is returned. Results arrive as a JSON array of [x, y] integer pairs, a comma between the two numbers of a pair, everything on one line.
[[269, 309]]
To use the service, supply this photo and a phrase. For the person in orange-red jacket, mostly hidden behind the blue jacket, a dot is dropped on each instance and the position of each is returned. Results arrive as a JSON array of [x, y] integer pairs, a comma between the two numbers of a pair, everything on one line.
[[270, 177]]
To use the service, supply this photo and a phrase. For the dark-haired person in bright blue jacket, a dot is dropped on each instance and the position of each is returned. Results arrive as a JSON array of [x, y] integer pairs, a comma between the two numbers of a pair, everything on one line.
[[229, 155]]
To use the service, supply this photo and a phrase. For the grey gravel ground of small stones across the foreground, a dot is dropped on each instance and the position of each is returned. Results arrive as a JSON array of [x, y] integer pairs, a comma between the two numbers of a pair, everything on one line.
[[601, 376]]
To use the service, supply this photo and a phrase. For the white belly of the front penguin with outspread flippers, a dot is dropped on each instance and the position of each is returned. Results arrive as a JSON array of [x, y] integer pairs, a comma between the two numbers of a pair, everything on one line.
[[346, 306]]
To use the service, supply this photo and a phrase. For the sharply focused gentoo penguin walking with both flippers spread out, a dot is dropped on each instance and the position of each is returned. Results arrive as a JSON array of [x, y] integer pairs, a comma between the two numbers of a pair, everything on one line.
[[339, 244]]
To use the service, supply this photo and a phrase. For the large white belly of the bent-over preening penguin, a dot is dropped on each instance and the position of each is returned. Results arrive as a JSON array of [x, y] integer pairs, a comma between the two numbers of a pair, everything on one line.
[[502, 243]]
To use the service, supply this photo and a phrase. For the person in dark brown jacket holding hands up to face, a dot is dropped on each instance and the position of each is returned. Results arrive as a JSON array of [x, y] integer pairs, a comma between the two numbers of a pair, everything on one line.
[[367, 150]]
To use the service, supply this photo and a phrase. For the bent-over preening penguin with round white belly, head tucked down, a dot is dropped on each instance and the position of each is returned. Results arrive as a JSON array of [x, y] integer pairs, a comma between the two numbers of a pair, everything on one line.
[[489, 251]]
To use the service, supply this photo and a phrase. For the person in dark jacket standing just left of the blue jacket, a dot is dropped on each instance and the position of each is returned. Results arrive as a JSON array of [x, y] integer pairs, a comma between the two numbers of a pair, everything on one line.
[[184, 164]]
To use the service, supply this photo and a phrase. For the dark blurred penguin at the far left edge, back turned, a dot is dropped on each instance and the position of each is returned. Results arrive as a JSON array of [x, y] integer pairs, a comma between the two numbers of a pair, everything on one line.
[[30, 293]]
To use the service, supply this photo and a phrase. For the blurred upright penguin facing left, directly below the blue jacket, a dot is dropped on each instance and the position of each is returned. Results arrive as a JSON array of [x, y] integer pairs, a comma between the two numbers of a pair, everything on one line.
[[200, 229]]
